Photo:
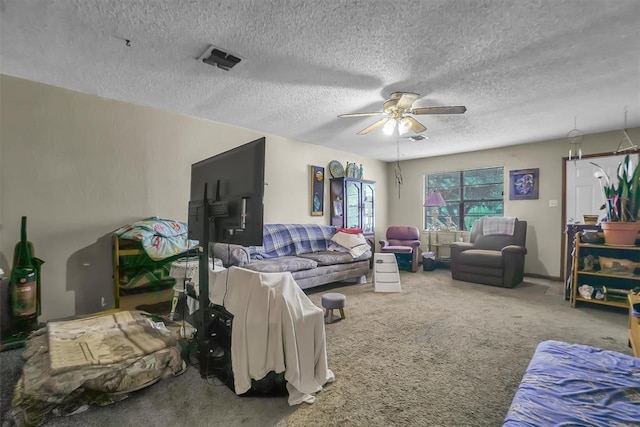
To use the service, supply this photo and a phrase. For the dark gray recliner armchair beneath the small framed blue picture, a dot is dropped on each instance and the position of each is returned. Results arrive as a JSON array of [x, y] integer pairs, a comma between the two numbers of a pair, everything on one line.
[[491, 259]]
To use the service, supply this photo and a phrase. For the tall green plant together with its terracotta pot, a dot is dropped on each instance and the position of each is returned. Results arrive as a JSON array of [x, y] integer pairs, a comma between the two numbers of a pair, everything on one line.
[[622, 203]]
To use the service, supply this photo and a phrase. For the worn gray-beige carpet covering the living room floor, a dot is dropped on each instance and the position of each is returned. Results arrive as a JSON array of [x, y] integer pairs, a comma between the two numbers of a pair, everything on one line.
[[440, 353]]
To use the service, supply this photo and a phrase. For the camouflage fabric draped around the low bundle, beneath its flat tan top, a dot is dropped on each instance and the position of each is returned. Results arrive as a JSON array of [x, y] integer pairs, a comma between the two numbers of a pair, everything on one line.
[[42, 393]]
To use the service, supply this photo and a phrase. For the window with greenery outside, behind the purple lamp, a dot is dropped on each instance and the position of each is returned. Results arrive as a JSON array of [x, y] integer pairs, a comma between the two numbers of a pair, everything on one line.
[[469, 195]]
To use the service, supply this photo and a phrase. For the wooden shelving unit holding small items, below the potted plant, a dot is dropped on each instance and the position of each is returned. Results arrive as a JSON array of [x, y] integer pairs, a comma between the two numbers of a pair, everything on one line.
[[603, 278]]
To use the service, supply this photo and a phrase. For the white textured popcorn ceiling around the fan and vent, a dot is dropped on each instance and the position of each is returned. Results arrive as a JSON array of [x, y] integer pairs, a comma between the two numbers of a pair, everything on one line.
[[525, 70]]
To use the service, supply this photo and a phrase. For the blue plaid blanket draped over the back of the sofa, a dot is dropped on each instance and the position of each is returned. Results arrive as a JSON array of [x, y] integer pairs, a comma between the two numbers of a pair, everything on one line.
[[292, 239]]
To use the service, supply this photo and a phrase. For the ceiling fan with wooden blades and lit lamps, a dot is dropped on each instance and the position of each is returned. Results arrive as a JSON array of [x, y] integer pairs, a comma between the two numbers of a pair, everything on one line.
[[396, 110]]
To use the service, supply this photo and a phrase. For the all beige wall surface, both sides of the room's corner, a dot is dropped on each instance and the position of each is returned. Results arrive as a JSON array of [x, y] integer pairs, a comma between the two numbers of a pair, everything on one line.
[[79, 166]]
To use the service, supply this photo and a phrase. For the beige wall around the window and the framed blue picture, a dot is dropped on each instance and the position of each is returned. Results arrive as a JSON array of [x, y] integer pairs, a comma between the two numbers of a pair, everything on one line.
[[545, 226]]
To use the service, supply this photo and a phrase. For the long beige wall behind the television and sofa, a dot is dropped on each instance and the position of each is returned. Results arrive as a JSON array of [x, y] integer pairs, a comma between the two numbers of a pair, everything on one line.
[[79, 166]]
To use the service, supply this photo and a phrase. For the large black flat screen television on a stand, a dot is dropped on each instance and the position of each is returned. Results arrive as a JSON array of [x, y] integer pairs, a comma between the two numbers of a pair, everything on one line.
[[233, 202]]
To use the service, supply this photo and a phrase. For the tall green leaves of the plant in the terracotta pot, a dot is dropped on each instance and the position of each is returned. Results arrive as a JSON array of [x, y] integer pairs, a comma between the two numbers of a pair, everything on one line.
[[622, 198]]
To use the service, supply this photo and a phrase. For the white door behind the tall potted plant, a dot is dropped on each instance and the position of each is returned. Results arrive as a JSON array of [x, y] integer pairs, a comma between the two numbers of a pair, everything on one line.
[[584, 194]]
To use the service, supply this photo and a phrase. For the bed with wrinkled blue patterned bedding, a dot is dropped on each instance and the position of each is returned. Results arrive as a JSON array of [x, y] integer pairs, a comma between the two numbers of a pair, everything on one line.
[[577, 385]]
